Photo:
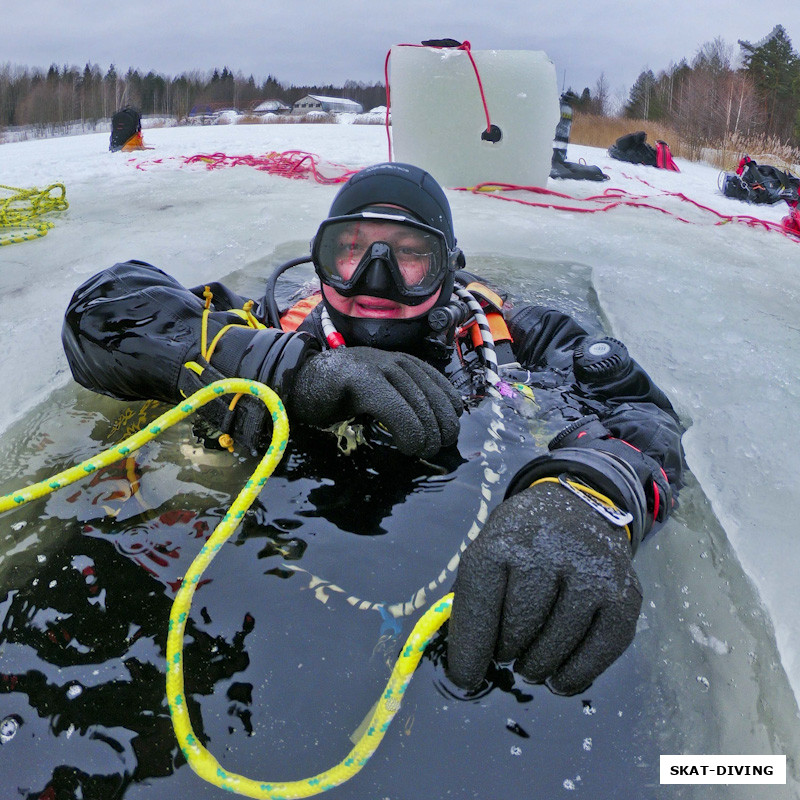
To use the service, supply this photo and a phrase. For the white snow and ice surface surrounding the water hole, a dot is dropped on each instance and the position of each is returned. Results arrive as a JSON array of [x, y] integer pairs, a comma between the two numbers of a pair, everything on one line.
[[712, 311]]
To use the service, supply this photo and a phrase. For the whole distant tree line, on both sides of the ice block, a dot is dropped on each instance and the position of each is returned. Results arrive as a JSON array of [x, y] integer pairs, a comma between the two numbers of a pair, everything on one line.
[[706, 100]]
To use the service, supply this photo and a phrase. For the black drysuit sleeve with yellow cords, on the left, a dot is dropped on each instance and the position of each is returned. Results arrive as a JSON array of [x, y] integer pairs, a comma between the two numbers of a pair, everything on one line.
[[130, 332]]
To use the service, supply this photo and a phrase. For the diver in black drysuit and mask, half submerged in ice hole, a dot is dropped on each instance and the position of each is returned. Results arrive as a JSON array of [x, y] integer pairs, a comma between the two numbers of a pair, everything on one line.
[[548, 584]]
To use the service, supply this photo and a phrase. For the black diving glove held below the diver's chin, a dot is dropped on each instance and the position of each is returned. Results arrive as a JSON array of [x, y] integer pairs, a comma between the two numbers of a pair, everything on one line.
[[411, 399]]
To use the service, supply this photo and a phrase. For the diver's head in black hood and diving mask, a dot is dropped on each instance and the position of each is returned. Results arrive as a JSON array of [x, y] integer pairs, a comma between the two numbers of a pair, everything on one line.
[[386, 256]]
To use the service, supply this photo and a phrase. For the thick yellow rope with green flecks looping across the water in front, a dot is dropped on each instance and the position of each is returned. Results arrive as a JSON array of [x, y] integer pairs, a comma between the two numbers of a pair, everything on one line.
[[200, 760]]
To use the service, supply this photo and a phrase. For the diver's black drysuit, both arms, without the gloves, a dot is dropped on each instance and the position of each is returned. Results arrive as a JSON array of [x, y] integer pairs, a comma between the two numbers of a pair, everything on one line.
[[129, 331]]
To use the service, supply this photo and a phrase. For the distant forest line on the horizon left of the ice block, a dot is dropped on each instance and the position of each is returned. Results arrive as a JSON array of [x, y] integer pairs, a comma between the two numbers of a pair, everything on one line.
[[60, 96]]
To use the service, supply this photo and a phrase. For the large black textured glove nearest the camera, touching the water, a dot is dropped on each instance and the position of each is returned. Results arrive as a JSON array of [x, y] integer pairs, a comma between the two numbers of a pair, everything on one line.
[[548, 584]]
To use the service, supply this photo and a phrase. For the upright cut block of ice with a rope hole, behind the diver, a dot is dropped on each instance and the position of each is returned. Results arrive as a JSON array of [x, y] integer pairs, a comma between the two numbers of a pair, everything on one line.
[[438, 118]]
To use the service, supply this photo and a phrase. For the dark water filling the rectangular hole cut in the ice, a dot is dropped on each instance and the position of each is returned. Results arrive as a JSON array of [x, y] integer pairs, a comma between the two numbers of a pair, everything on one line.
[[282, 665]]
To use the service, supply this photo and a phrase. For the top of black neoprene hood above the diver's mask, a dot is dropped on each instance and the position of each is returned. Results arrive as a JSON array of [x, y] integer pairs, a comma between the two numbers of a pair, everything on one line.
[[398, 184]]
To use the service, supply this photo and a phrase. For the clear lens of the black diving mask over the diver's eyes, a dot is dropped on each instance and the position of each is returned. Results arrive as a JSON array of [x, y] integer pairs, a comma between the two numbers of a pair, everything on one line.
[[415, 254]]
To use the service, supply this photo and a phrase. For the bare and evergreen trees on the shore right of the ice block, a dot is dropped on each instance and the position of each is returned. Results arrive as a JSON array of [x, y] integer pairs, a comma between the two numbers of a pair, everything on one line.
[[718, 96]]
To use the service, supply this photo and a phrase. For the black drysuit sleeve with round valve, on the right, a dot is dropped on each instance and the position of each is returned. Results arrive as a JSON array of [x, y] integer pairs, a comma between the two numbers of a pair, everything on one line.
[[628, 423]]
